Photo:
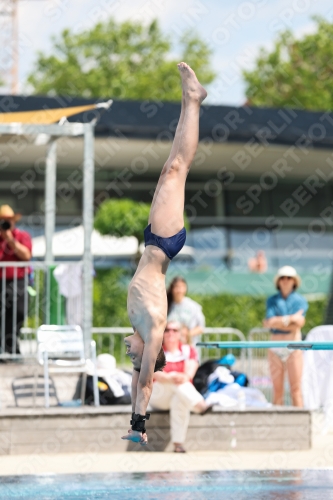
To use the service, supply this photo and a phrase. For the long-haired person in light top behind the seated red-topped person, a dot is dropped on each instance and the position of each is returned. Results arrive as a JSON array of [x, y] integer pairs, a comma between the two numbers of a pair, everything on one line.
[[185, 310]]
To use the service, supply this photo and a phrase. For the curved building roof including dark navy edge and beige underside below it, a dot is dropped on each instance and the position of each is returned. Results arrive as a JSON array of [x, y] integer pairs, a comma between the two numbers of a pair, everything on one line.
[[136, 135]]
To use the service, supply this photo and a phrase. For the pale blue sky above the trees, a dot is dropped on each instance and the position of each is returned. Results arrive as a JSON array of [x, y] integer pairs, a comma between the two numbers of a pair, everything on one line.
[[235, 29]]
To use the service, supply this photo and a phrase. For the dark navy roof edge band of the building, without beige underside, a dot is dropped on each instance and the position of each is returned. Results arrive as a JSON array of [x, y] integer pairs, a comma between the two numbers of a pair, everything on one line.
[[152, 119]]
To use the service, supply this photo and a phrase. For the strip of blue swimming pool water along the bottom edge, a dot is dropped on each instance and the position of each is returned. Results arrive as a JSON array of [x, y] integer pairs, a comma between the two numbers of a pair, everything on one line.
[[239, 485]]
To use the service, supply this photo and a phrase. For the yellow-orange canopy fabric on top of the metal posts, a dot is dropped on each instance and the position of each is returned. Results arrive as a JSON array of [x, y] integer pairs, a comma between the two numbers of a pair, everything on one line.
[[43, 116]]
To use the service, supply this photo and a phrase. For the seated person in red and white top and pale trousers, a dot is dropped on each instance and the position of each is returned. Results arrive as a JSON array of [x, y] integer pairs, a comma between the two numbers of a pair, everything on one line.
[[173, 388]]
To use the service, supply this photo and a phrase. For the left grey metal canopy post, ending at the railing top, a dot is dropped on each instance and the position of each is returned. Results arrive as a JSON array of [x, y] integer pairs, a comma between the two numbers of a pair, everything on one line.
[[50, 197]]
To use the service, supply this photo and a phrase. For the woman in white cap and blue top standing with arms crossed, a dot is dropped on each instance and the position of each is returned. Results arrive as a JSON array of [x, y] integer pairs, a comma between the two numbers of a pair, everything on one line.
[[285, 316]]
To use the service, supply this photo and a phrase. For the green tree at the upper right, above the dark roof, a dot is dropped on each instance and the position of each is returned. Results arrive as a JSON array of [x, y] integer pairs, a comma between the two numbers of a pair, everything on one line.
[[297, 73]]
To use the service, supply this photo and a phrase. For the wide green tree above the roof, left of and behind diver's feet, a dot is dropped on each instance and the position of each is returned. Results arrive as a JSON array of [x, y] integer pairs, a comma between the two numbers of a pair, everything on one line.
[[128, 60]]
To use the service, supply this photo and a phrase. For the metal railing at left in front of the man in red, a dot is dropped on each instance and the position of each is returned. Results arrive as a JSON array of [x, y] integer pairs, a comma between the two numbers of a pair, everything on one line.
[[29, 297]]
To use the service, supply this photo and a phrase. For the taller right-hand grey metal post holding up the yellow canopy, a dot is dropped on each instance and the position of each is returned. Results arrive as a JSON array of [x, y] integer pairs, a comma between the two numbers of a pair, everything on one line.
[[88, 214]]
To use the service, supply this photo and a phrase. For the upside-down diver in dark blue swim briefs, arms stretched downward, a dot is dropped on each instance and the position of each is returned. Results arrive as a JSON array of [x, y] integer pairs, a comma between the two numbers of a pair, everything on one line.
[[164, 237]]
